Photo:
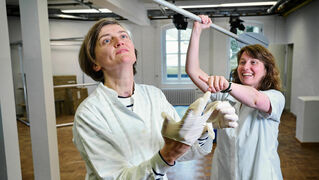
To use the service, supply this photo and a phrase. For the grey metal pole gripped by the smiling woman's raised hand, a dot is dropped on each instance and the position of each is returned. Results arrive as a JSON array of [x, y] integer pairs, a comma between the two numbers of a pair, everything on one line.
[[196, 18]]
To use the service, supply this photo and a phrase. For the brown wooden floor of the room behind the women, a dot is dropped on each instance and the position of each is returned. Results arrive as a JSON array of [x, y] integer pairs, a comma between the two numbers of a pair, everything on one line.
[[299, 162]]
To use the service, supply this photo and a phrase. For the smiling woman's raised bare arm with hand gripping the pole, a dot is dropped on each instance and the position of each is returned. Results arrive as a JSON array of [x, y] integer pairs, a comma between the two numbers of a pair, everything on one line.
[[192, 62]]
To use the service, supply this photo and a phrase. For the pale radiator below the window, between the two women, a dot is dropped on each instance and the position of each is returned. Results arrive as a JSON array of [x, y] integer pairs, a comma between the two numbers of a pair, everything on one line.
[[180, 96]]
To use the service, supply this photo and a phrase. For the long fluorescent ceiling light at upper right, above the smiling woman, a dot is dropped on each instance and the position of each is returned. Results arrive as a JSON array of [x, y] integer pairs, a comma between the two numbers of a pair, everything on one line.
[[267, 3]]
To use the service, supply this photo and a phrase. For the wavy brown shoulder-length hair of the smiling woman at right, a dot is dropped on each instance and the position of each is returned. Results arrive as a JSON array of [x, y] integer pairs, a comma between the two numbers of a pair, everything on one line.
[[272, 78]]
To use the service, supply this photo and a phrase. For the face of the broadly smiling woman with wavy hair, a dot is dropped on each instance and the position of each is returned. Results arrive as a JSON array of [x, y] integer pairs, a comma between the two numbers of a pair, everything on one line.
[[250, 70]]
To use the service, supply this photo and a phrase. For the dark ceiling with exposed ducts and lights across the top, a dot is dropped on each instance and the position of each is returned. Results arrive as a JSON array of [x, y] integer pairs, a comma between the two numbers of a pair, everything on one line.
[[142, 11]]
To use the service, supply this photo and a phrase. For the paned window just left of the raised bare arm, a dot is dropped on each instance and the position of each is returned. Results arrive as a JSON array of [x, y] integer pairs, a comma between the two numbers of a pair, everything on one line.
[[175, 44]]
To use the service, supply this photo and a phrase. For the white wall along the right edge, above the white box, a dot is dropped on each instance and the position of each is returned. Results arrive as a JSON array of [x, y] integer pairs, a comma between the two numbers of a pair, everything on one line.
[[302, 30]]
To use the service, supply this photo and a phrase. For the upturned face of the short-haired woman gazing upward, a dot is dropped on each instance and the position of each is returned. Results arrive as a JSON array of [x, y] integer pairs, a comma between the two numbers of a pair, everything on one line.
[[114, 49]]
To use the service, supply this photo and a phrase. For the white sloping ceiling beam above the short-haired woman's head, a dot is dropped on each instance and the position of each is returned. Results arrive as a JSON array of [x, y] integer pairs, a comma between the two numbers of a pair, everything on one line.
[[133, 10]]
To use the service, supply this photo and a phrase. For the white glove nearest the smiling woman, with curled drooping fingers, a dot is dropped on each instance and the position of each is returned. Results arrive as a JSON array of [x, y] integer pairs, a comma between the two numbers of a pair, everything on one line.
[[222, 114]]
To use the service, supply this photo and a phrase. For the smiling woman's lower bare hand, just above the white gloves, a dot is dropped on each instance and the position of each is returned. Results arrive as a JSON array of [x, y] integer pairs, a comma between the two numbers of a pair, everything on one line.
[[215, 83]]
